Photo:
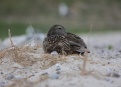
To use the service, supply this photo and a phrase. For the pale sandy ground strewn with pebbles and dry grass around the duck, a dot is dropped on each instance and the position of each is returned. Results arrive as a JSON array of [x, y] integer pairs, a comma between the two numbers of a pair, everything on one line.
[[25, 65]]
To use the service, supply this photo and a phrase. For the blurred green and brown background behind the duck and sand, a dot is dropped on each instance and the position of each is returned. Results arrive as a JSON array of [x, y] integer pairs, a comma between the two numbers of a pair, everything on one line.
[[75, 15]]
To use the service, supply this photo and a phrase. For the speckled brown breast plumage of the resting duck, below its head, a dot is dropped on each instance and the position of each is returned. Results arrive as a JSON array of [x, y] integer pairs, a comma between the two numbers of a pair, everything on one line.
[[57, 43]]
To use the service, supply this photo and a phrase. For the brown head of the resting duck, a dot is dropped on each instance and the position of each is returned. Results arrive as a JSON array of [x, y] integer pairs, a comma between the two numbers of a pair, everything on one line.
[[56, 29]]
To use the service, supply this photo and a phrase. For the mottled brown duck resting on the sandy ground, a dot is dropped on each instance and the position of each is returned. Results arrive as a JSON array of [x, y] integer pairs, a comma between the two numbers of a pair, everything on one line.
[[63, 42]]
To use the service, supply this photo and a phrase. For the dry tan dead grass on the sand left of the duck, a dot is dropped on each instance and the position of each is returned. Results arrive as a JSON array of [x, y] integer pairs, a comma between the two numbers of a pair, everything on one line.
[[25, 55]]
